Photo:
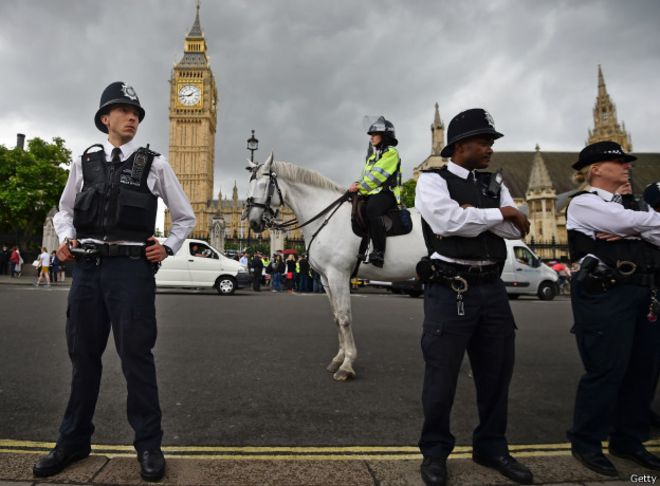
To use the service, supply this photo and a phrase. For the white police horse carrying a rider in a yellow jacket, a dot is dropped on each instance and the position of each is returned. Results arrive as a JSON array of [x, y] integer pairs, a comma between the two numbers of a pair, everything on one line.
[[333, 252]]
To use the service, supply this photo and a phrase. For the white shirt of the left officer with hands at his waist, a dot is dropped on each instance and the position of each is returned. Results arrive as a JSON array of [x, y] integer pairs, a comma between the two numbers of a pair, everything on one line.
[[161, 181]]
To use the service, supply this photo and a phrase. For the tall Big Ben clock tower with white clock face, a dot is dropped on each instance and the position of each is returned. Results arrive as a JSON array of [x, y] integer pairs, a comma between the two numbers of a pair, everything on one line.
[[193, 116]]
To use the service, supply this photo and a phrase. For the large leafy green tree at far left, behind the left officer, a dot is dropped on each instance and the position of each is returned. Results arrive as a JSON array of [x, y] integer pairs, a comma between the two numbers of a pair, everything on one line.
[[31, 182]]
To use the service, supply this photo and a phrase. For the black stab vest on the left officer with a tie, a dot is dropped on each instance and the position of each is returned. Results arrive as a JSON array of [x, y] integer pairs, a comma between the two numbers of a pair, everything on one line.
[[115, 202]]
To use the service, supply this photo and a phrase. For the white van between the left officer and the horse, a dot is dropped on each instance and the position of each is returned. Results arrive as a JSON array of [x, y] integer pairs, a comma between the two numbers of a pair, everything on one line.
[[198, 265]]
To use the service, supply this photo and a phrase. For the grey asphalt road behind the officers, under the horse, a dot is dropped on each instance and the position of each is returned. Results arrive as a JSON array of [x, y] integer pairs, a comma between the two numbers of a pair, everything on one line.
[[249, 369]]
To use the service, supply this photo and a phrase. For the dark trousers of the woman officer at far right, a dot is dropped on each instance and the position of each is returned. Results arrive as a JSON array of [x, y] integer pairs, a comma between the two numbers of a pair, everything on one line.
[[620, 350]]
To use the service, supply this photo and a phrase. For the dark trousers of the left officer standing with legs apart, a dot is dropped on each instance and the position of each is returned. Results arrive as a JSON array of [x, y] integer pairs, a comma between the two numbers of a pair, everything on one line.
[[119, 293]]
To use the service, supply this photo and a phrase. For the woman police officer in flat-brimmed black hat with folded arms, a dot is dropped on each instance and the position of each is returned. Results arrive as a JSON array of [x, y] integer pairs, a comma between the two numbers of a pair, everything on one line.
[[614, 309]]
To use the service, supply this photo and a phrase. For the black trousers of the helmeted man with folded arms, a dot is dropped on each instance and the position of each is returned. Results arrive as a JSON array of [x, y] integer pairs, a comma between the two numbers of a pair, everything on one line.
[[487, 332]]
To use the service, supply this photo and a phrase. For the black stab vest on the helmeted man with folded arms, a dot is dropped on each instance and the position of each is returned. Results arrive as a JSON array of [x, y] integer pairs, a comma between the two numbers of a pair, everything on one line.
[[486, 246]]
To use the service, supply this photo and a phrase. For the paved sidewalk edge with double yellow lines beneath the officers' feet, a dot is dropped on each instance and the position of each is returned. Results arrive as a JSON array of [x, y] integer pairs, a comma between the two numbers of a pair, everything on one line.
[[308, 466]]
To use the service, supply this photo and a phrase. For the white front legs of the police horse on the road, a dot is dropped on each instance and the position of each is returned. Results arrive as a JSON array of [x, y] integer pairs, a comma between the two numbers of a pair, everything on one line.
[[340, 292]]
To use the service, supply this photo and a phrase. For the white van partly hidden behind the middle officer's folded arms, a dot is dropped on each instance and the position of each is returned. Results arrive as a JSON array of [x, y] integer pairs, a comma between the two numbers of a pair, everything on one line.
[[525, 274]]
